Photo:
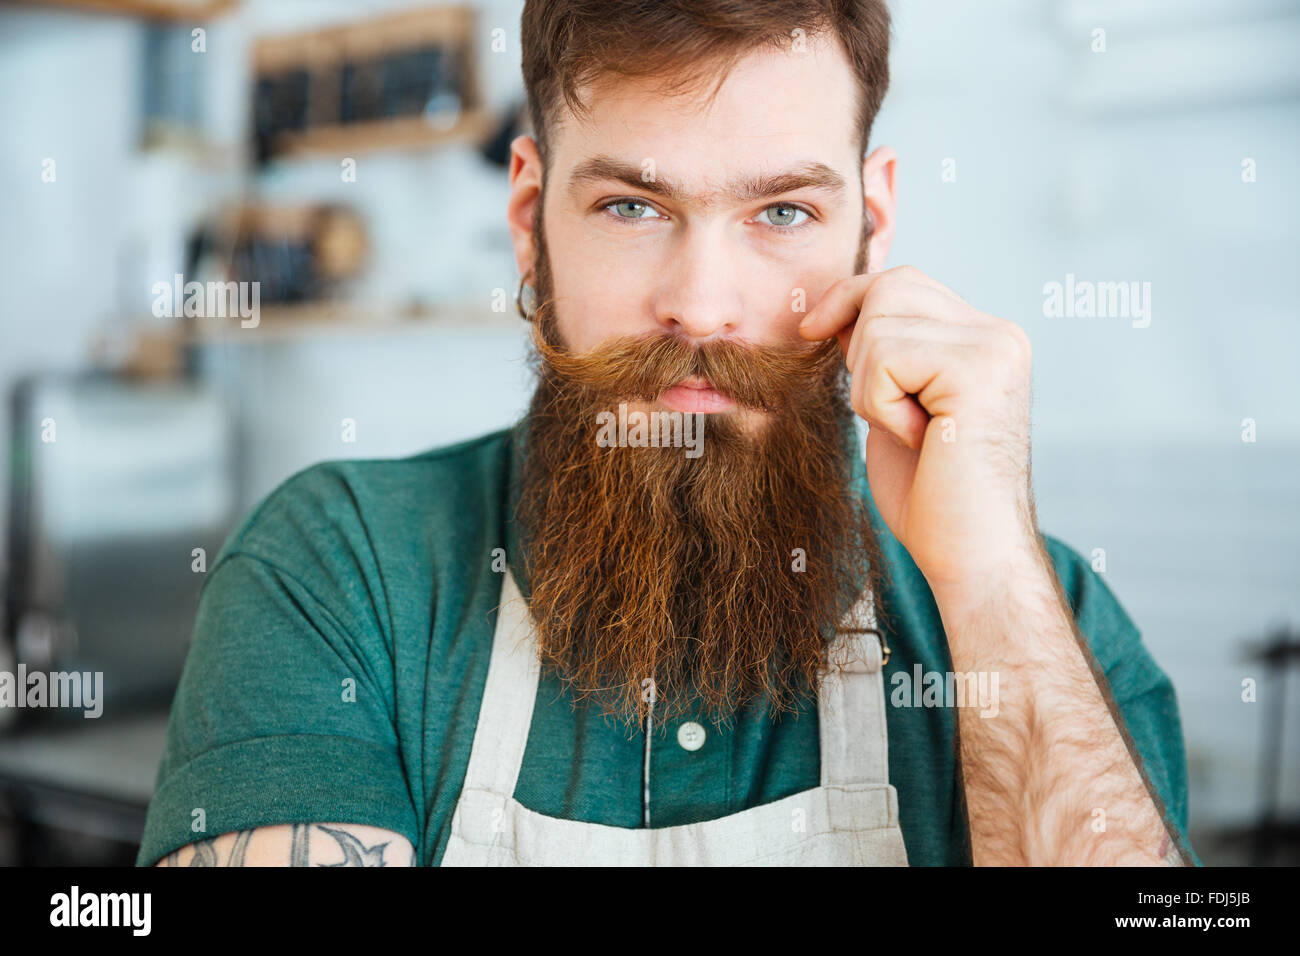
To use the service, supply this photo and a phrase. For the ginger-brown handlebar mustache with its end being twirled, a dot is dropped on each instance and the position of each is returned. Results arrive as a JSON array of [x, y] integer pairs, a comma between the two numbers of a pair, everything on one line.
[[766, 378]]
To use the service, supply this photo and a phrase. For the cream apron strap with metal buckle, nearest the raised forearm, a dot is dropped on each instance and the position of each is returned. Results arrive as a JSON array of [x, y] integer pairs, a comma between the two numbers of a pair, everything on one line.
[[852, 704]]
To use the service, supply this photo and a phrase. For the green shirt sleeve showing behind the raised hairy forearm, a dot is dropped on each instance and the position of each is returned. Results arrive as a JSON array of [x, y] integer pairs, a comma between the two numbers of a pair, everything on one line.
[[1142, 693]]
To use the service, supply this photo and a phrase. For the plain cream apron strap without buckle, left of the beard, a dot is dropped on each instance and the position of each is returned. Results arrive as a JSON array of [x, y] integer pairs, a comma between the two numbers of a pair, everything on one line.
[[506, 713]]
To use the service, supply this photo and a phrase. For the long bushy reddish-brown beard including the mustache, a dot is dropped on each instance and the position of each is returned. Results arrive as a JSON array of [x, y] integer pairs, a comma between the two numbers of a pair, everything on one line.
[[714, 581]]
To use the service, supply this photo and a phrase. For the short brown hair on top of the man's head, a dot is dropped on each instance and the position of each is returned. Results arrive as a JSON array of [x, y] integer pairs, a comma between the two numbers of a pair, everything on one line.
[[571, 44]]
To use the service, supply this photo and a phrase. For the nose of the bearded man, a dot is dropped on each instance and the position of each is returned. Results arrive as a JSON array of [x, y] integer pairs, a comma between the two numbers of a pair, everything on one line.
[[700, 295]]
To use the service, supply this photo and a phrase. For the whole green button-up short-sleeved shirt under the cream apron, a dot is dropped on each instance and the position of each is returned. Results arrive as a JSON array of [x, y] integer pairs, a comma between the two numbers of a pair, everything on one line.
[[341, 650]]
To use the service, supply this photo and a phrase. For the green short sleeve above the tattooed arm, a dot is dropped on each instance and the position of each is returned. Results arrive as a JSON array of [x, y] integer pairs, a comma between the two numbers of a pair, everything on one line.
[[285, 710]]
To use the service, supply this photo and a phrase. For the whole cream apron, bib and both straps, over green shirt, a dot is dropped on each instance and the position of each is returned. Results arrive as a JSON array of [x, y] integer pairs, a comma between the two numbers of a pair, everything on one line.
[[852, 820]]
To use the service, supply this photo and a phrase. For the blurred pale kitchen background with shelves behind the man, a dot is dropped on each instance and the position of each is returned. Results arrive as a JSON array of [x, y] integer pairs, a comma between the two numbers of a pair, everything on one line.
[[350, 157]]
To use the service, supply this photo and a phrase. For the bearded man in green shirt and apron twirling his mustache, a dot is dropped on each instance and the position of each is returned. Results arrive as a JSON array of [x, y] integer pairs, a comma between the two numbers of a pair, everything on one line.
[[567, 643]]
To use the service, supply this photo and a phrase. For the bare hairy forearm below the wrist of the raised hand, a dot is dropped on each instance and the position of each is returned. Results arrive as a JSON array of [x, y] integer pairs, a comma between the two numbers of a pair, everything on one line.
[[1050, 778]]
